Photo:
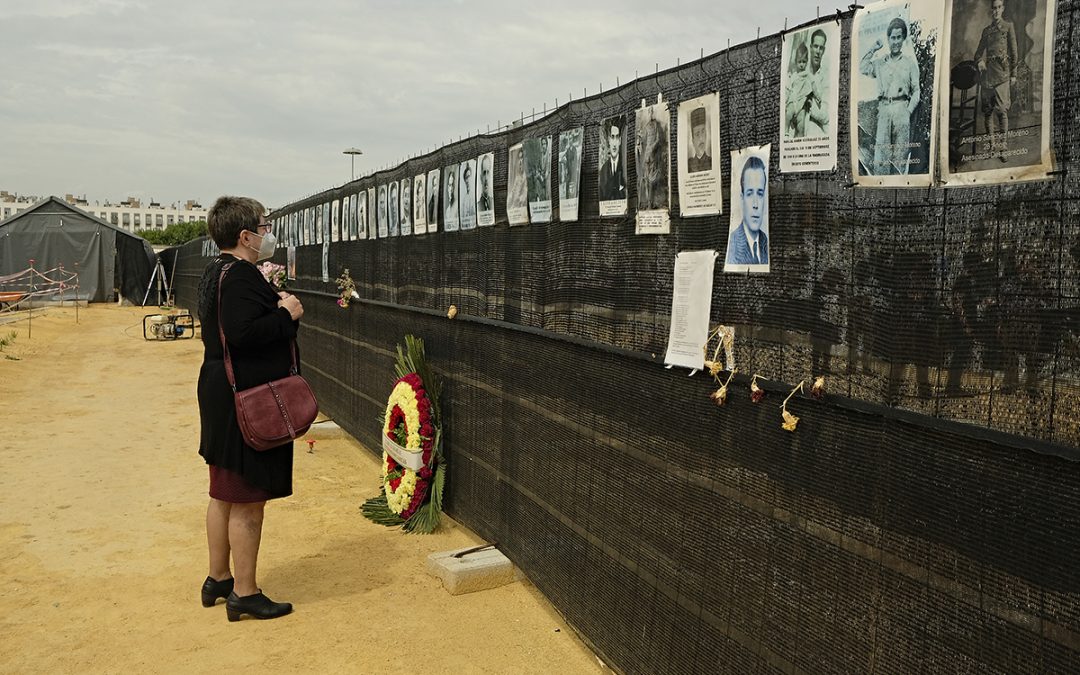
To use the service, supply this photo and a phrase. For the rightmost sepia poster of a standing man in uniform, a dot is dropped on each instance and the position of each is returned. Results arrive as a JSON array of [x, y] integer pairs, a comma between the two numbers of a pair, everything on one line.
[[995, 125]]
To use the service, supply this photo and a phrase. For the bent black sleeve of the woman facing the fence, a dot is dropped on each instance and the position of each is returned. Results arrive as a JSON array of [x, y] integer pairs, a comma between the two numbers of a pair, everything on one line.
[[249, 317]]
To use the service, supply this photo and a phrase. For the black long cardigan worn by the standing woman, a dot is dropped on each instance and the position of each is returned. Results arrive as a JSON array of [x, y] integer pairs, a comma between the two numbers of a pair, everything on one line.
[[260, 336]]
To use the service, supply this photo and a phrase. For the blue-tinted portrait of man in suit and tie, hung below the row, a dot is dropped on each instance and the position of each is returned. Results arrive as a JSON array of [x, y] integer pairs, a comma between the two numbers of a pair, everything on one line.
[[749, 233]]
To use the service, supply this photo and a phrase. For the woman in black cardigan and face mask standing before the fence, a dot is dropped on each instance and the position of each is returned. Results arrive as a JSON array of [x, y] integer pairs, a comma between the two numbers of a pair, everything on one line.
[[260, 326]]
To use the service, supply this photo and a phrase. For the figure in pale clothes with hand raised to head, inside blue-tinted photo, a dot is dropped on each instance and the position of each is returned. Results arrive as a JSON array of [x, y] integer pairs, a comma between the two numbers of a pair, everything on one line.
[[899, 94]]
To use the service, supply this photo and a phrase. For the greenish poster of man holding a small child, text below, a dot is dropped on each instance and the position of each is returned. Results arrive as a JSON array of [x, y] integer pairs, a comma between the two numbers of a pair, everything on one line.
[[809, 99]]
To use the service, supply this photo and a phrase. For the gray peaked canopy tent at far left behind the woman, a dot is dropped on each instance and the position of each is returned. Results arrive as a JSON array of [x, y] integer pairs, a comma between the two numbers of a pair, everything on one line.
[[56, 234]]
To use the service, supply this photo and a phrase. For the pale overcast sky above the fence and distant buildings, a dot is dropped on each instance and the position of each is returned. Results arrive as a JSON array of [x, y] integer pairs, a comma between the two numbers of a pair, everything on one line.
[[194, 99]]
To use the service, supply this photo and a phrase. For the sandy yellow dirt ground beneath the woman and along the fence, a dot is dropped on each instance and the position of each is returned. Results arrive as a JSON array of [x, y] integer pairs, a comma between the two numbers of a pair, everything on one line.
[[103, 502]]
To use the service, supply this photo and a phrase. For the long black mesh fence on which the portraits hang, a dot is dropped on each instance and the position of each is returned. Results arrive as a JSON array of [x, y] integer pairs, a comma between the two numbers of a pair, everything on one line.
[[924, 518]]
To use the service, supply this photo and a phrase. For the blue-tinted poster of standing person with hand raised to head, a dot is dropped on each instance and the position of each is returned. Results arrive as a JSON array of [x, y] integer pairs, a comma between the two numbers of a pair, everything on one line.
[[895, 48]]
